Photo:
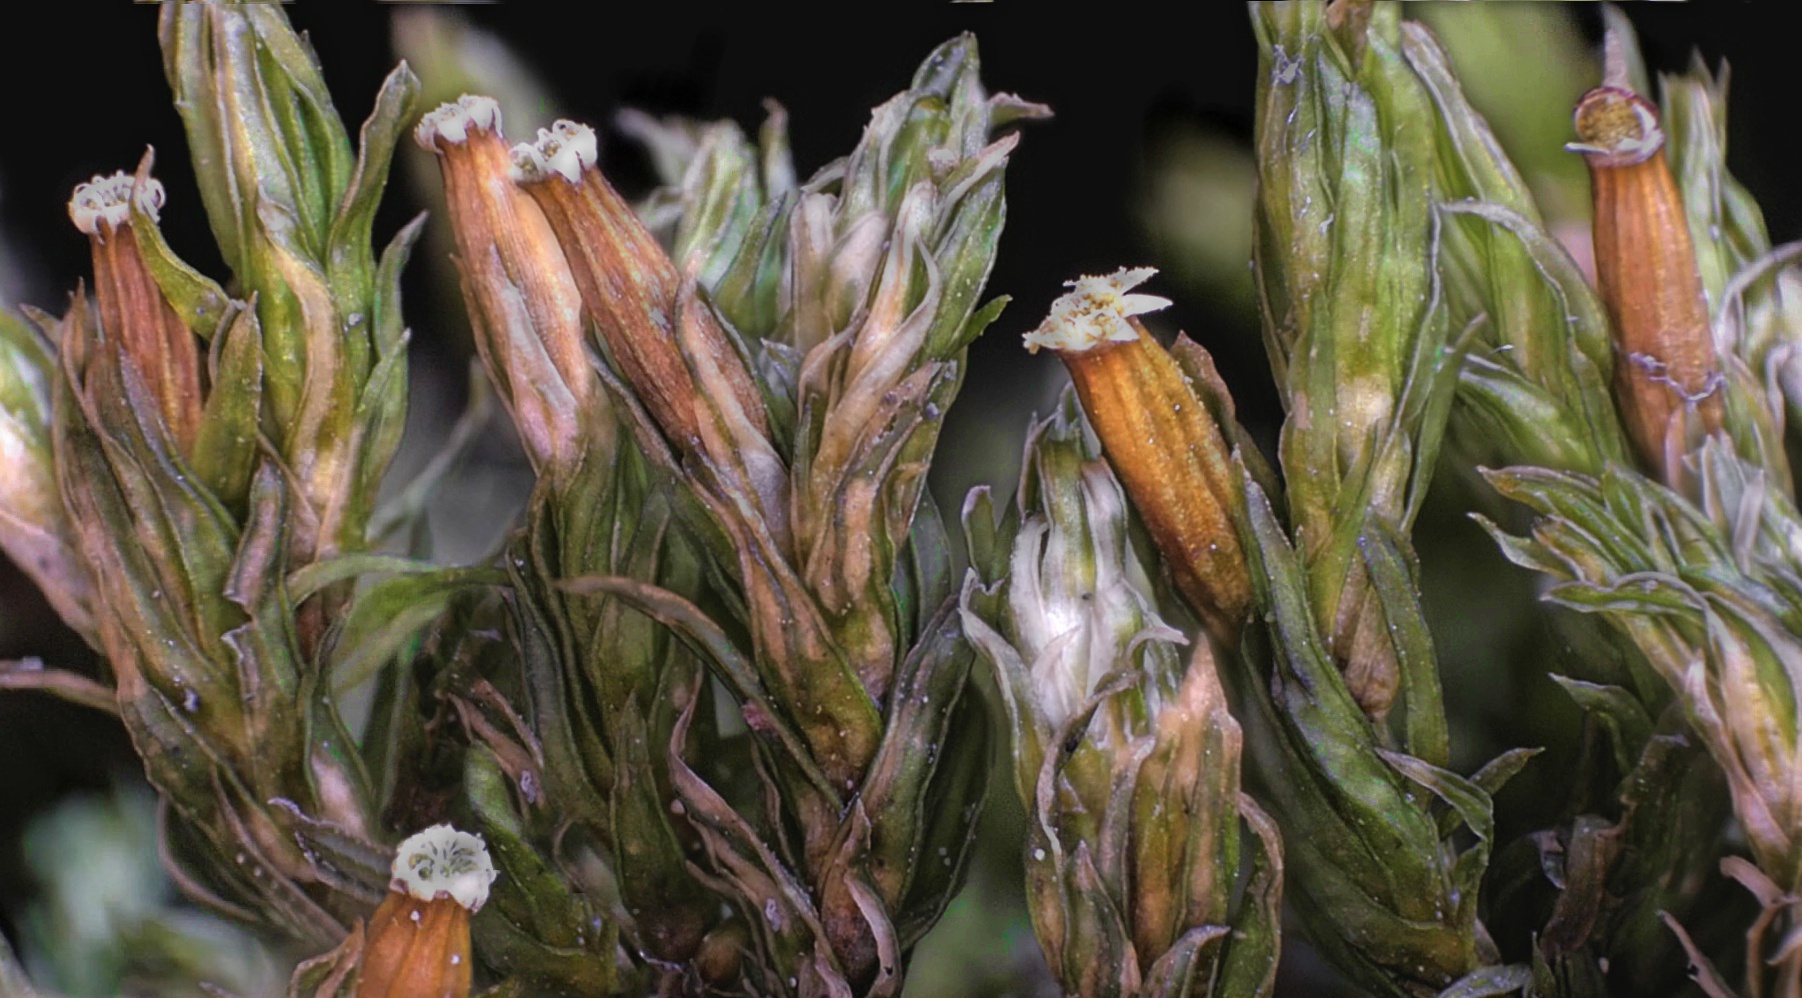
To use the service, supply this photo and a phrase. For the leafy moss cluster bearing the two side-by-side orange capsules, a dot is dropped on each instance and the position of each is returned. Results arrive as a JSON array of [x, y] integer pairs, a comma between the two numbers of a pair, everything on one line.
[[823, 774]]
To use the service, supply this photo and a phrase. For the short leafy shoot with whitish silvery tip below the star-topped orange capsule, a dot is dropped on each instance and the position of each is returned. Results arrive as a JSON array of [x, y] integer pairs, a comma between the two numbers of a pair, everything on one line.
[[1124, 747]]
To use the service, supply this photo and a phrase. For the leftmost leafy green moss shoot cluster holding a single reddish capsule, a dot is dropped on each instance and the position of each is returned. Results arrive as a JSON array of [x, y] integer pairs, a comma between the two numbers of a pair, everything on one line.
[[185, 509]]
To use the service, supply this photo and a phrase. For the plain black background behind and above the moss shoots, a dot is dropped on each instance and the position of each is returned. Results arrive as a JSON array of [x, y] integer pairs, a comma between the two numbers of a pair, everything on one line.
[[84, 95]]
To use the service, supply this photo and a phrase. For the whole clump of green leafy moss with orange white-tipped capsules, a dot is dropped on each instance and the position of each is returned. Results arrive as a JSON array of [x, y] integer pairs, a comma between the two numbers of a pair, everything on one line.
[[722, 711]]
